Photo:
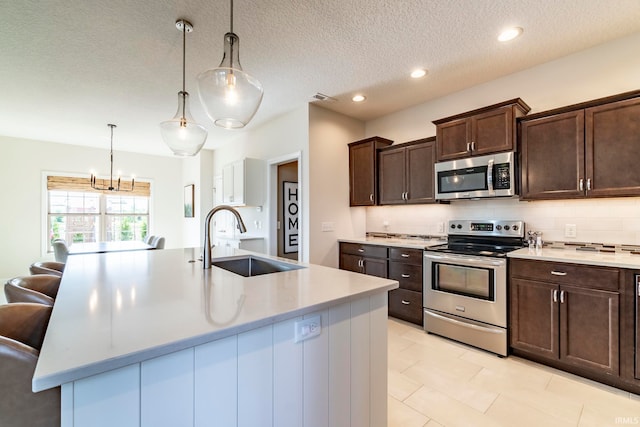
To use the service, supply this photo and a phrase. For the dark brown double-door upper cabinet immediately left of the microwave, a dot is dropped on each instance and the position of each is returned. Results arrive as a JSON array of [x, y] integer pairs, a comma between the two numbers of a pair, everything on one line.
[[405, 173]]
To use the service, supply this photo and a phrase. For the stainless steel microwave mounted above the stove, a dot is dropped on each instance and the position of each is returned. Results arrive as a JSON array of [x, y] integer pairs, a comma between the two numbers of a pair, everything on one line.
[[477, 177]]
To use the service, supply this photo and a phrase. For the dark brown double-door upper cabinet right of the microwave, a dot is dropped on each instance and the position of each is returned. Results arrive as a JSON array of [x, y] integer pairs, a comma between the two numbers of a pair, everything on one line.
[[587, 150]]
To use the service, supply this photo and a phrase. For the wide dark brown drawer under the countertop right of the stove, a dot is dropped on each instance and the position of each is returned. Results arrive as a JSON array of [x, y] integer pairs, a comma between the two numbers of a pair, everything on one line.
[[585, 276]]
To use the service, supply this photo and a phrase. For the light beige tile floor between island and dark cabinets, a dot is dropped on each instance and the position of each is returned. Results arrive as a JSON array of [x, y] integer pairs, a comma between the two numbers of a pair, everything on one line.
[[434, 381]]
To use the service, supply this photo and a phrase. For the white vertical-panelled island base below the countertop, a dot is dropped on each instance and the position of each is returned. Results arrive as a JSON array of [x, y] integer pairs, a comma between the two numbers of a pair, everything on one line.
[[255, 378]]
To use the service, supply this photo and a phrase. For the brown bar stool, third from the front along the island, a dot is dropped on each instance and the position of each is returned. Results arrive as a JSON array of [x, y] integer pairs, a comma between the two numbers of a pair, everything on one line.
[[41, 289]]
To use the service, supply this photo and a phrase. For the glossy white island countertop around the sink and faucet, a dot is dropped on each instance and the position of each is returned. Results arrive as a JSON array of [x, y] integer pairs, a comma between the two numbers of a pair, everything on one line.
[[120, 308]]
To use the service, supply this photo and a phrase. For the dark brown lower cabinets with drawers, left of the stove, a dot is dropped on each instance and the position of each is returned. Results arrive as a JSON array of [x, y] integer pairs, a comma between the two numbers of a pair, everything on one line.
[[401, 264]]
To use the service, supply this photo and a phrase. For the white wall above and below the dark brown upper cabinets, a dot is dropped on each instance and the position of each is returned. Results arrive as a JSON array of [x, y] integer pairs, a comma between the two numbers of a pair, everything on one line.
[[594, 73]]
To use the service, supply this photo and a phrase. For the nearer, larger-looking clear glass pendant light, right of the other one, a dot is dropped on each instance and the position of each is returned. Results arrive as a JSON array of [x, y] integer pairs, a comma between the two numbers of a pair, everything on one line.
[[230, 96]]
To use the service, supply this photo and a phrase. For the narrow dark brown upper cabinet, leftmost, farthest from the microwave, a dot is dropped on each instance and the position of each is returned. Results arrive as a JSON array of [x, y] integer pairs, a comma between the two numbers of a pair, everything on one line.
[[363, 170]]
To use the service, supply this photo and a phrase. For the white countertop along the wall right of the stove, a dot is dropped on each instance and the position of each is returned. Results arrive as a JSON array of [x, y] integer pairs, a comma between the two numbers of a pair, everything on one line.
[[607, 259]]
